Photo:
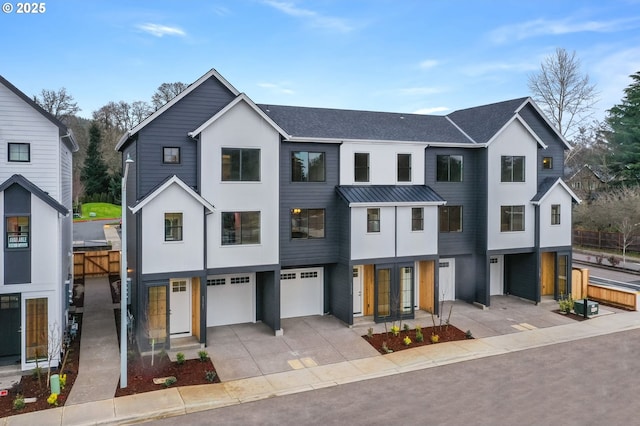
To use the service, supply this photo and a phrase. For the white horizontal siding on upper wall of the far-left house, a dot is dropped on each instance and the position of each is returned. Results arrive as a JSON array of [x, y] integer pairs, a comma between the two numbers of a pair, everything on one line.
[[20, 123]]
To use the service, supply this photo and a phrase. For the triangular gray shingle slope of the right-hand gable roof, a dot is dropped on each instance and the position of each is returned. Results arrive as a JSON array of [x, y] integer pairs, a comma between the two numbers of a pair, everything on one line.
[[483, 122]]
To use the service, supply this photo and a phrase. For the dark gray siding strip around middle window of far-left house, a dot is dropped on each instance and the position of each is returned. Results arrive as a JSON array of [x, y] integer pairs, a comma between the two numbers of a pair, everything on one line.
[[17, 261]]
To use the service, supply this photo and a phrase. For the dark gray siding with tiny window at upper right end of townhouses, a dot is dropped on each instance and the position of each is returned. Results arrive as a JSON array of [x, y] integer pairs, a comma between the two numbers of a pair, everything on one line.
[[555, 147]]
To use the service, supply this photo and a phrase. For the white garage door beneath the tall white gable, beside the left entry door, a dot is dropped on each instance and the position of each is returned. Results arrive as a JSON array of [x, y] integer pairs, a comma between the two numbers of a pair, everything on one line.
[[231, 299]]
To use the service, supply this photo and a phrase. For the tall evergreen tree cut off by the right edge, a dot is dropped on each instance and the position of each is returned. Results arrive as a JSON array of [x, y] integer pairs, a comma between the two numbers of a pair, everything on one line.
[[624, 120]]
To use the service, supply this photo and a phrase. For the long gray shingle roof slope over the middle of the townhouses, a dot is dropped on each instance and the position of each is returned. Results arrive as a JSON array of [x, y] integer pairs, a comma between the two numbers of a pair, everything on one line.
[[327, 123]]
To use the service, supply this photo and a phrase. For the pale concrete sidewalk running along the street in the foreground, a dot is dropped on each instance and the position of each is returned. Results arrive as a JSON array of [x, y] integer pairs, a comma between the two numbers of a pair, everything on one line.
[[181, 400]]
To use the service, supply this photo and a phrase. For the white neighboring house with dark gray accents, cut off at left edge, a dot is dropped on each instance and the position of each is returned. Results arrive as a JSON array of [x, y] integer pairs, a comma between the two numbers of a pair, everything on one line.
[[35, 203]]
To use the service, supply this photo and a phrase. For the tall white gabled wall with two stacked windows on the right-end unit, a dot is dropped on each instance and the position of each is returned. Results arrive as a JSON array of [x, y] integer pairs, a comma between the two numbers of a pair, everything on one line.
[[515, 140]]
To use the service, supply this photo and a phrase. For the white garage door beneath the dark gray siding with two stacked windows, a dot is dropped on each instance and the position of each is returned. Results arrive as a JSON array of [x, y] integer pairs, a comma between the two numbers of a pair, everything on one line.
[[301, 292]]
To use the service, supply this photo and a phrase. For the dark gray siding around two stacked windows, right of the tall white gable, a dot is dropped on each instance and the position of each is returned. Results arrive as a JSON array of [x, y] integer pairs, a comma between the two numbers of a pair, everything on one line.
[[309, 195]]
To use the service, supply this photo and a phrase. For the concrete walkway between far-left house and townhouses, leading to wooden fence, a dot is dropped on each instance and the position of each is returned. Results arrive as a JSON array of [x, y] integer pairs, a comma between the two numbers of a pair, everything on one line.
[[99, 370]]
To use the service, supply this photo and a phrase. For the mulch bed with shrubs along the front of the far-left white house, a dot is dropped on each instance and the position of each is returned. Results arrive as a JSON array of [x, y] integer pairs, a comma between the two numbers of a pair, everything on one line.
[[30, 387]]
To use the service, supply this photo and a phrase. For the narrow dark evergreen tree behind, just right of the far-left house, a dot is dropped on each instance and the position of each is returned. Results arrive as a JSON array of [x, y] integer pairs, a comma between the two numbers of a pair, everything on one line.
[[94, 175]]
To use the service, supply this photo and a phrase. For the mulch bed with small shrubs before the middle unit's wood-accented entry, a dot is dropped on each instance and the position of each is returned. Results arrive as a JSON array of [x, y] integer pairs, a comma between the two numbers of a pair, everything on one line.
[[395, 343]]
